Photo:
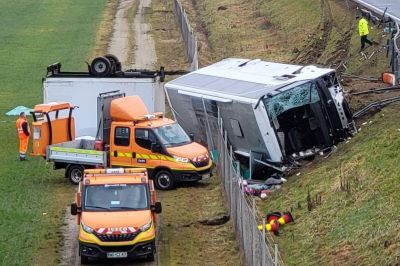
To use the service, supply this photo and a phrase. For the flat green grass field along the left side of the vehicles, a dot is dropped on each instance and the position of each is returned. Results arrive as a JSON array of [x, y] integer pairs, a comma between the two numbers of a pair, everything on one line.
[[33, 35]]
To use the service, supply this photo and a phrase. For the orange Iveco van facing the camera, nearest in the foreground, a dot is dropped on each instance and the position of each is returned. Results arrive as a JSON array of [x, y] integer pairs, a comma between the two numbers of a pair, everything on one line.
[[116, 213]]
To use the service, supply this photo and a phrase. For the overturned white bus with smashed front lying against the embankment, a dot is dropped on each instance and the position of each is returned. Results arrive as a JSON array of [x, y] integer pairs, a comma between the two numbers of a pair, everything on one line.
[[273, 113]]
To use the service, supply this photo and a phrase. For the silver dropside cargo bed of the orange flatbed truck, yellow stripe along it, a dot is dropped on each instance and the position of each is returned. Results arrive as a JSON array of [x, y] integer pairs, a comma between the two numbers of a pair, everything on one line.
[[80, 151]]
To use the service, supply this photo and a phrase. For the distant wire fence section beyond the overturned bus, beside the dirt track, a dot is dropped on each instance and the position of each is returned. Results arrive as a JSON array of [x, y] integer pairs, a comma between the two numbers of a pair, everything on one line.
[[188, 35]]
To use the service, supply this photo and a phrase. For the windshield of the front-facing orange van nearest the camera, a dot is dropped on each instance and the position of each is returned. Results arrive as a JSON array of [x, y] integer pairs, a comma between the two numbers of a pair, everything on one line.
[[116, 197]]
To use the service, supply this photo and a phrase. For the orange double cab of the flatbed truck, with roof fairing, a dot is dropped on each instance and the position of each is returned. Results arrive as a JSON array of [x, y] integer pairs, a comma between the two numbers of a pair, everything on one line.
[[139, 139]]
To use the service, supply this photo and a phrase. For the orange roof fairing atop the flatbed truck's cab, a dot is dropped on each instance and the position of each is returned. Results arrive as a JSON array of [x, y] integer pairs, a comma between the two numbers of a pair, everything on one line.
[[128, 108]]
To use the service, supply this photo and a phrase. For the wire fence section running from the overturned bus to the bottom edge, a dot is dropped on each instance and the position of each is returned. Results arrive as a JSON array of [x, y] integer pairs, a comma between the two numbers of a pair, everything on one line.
[[256, 245]]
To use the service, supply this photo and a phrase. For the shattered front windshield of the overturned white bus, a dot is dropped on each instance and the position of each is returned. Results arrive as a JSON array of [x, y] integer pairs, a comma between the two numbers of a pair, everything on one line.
[[298, 118]]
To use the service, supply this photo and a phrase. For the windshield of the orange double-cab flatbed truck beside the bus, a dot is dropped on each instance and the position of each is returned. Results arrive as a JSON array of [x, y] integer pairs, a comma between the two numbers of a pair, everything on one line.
[[172, 135]]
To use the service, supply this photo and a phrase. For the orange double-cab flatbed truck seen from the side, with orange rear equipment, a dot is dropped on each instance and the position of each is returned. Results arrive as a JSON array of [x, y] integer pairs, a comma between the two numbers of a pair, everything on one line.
[[128, 136]]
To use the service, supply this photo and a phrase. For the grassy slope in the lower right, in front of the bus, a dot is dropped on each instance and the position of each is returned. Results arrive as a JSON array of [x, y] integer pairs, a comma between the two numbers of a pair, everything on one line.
[[355, 227]]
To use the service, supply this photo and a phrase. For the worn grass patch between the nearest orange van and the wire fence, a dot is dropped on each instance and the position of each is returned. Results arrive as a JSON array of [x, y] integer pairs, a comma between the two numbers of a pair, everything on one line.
[[184, 241]]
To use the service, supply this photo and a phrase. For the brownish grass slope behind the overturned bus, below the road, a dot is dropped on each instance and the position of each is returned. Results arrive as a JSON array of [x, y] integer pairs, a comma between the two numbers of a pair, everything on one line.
[[306, 32]]
